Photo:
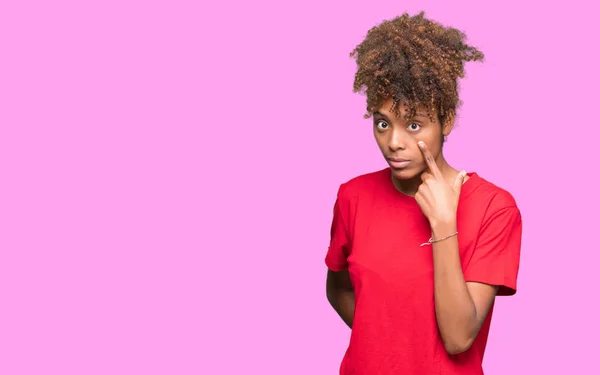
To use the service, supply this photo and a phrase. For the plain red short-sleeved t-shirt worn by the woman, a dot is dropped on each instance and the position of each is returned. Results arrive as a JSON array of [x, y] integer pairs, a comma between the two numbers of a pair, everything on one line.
[[376, 234]]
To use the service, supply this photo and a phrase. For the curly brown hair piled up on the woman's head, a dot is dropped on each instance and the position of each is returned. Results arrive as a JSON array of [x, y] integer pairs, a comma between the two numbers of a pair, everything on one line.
[[415, 61]]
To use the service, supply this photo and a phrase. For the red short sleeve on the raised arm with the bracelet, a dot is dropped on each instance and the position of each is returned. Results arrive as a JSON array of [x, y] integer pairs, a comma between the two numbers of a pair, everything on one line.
[[496, 255]]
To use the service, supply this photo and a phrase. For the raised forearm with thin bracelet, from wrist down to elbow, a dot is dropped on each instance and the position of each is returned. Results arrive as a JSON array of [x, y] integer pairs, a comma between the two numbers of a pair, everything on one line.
[[455, 311]]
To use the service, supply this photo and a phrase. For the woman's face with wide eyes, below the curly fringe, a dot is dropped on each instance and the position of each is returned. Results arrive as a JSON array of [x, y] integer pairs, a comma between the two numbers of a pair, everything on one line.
[[397, 139]]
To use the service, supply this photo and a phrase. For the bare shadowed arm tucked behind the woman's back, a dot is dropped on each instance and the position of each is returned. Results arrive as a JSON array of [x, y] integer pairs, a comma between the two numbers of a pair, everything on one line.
[[340, 295]]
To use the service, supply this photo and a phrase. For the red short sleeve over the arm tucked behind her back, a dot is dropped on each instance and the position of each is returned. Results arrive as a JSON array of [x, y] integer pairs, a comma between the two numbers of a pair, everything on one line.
[[339, 244]]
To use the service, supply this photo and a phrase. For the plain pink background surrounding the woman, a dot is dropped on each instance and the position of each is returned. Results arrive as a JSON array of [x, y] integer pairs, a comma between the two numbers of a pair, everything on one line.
[[168, 172]]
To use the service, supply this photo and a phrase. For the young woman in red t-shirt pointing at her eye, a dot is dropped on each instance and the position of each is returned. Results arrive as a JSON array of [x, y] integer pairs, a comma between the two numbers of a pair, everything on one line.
[[419, 250]]
